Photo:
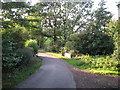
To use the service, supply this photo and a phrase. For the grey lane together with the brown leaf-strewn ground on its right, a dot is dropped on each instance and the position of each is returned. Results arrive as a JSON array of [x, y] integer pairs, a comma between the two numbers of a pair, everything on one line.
[[57, 73]]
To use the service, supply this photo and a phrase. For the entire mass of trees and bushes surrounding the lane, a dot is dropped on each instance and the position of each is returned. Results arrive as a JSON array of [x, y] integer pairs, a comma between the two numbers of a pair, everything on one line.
[[72, 27]]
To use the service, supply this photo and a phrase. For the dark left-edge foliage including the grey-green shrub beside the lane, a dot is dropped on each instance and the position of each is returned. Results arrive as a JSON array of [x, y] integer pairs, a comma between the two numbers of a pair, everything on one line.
[[12, 56]]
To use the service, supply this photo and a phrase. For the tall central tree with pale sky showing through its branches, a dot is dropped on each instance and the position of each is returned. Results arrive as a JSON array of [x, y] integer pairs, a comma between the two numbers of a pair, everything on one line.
[[60, 19]]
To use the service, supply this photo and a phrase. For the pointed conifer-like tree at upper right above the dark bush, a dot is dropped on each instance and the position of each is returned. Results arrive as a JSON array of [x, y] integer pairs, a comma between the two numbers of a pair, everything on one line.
[[100, 18]]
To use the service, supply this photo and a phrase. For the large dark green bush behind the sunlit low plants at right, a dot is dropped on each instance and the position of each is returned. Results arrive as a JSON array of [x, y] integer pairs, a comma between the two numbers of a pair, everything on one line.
[[97, 44]]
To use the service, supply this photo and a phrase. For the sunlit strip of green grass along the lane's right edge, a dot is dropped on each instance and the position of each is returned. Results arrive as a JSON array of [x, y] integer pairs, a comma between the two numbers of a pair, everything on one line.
[[78, 64]]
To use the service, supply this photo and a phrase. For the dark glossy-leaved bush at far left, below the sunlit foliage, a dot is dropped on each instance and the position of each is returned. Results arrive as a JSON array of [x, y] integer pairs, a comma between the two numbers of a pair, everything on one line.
[[10, 57]]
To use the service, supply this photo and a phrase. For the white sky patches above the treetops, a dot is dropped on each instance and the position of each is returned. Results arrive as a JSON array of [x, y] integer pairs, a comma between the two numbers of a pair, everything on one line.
[[110, 4]]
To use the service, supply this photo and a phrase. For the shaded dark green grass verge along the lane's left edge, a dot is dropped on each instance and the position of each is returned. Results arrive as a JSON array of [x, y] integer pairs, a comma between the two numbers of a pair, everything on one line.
[[12, 79]]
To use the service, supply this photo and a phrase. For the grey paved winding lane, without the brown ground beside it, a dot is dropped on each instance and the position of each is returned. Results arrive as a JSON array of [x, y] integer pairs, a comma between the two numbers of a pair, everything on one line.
[[52, 74]]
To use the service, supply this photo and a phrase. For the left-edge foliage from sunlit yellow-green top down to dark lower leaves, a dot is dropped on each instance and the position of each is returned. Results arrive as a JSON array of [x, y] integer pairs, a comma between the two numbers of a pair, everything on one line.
[[12, 39]]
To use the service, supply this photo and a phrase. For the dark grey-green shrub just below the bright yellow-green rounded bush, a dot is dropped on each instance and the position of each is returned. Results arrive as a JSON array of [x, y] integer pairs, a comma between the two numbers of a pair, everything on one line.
[[27, 55]]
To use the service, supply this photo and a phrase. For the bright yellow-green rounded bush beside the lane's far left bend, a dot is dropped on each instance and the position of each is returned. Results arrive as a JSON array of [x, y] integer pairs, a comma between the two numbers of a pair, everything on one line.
[[33, 44]]
